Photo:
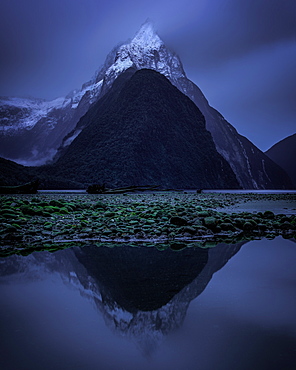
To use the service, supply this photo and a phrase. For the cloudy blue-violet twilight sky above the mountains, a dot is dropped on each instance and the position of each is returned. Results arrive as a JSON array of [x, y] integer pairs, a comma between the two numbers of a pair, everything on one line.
[[242, 54]]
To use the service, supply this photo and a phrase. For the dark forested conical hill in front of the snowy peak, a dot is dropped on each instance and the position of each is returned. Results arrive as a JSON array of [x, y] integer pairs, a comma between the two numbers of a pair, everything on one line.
[[146, 132]]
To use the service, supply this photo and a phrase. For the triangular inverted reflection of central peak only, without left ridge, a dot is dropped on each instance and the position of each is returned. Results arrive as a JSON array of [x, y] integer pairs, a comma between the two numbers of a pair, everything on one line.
[[146, 292]]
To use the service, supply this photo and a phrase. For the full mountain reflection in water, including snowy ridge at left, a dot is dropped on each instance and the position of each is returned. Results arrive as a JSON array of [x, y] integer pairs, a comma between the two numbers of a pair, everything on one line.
[[142, 292]]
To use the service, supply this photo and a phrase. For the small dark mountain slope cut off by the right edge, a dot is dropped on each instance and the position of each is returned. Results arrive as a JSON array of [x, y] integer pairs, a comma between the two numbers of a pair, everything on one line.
[[284, 153]]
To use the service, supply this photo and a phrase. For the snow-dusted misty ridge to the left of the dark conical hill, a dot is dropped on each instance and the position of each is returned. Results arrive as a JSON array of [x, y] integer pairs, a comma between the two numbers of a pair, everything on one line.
[[31, 130]]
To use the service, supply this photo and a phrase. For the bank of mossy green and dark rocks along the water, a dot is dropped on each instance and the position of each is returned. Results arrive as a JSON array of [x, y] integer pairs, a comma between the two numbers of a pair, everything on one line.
[[169, 219]]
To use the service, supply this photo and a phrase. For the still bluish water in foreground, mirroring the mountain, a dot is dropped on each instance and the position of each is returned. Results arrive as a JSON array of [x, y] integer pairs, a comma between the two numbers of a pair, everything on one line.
[[227, 307]]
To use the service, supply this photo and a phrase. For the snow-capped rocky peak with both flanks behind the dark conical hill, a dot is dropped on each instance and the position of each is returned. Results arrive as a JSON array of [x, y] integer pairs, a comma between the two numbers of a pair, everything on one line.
[[35, 134]]
